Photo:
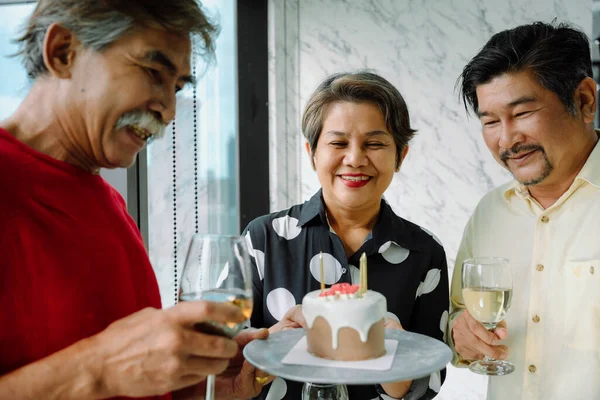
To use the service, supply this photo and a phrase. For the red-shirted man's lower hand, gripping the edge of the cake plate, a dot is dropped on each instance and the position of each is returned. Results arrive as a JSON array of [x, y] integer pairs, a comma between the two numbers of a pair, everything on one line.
[[239, 381]]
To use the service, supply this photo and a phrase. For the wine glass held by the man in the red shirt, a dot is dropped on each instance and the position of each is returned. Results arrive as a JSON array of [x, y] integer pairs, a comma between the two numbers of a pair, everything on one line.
[[217, 268]]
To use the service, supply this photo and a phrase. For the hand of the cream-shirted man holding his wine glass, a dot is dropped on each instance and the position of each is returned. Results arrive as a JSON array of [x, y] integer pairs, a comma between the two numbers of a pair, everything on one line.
[[472, 341]]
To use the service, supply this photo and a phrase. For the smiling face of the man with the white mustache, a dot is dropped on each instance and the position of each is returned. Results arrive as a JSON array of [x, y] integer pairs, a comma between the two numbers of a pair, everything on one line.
[[125, 94]]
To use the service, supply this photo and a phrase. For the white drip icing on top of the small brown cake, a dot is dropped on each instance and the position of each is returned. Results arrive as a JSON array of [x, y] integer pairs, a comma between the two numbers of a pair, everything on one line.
[[358, 313]]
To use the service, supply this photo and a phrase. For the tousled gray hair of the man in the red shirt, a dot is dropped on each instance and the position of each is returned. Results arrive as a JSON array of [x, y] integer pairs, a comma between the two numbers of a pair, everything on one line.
[[99, 23]]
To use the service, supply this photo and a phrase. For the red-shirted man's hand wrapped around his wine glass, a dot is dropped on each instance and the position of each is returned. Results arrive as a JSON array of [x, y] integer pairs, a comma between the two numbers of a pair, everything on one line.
[[157, 351]]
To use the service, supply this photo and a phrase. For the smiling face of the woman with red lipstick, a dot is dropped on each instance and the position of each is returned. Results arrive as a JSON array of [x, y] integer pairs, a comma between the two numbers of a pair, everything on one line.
[[355, 156]]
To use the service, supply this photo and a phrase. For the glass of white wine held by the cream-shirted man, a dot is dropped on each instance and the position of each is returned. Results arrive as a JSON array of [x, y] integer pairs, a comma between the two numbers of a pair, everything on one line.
[[487, 289]]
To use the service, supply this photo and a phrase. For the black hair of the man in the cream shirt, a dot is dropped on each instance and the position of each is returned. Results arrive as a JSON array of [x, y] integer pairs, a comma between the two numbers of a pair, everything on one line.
[[558, 55]]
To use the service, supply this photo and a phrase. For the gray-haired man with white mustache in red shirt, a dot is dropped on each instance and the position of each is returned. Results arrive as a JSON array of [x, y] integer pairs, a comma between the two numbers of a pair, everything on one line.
[[80, 304]]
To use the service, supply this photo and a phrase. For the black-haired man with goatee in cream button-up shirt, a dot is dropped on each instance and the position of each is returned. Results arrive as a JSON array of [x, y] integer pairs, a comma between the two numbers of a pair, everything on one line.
[[533, 91]]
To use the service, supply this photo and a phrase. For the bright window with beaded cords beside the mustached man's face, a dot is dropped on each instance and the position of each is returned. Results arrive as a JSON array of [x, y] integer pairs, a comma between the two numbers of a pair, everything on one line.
[[192, 171]]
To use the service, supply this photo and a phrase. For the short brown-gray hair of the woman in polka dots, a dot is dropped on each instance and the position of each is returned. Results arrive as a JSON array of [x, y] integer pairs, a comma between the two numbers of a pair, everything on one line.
[[358, 87]]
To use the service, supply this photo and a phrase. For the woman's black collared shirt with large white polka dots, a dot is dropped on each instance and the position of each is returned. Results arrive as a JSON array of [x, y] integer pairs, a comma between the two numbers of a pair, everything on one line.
[[406, 264]]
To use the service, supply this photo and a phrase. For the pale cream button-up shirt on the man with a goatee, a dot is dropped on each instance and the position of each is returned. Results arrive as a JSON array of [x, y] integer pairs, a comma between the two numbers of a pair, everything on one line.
[[554, 320]]
